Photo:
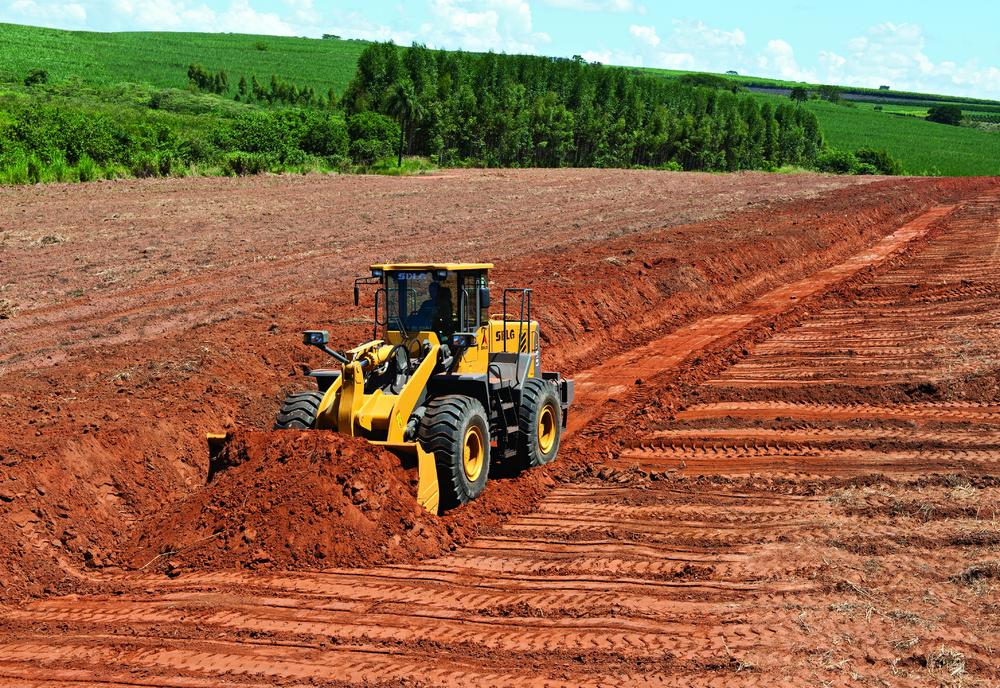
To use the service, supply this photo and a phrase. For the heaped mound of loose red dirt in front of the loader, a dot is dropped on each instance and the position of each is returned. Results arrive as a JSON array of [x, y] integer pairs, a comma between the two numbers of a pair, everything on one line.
[[294, 499]]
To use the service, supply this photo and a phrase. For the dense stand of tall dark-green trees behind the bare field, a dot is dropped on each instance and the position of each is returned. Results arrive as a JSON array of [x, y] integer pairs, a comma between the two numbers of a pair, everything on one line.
[[519, 110]]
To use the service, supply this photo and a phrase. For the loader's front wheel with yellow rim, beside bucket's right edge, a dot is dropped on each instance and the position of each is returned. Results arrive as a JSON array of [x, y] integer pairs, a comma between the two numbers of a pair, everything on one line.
[[456, 430]]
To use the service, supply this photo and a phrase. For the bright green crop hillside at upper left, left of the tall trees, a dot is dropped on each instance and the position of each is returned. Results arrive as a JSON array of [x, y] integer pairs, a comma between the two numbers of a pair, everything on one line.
[[162, 58]]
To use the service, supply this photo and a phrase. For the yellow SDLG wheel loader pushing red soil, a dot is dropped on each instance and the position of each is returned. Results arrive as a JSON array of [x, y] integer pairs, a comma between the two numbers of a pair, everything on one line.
[[441, 380]]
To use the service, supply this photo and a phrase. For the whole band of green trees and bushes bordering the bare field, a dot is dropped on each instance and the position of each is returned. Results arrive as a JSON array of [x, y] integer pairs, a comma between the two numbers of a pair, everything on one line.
[[455, 108]]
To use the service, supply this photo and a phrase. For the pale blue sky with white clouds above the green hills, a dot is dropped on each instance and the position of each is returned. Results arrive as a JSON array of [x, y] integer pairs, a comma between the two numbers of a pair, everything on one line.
[[949, 48]]
